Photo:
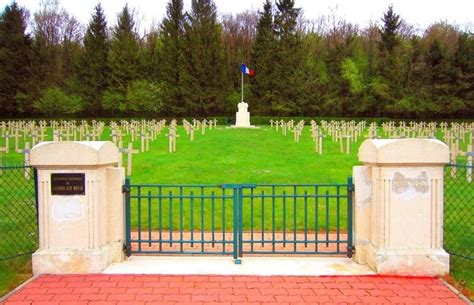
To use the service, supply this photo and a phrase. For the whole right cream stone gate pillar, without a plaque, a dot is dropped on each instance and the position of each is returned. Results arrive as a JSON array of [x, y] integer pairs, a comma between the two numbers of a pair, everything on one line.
[[398, 223]]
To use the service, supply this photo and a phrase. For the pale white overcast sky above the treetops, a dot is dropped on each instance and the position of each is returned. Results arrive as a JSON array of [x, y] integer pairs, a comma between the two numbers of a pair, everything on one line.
[[419, 13]]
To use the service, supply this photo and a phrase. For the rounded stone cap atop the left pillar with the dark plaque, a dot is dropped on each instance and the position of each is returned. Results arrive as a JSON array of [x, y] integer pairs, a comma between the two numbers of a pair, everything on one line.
[[69, 153]]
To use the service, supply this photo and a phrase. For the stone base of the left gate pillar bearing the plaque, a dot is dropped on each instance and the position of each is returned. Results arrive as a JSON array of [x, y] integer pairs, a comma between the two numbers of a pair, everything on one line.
[[76, 261]]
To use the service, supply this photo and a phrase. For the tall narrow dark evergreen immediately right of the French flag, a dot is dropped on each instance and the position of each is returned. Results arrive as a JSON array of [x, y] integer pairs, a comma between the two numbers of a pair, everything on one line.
[[262, 90]]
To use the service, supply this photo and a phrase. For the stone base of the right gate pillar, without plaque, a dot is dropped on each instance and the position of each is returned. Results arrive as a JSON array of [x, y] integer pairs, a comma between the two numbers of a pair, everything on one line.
[[421, 262]]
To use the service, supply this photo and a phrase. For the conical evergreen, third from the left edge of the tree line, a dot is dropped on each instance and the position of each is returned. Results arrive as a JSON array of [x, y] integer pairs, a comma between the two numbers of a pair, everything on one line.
[[124, 53]]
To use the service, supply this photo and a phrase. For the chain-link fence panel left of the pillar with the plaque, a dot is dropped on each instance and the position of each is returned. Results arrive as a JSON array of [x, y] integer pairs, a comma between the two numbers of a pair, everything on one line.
[[18, 211]]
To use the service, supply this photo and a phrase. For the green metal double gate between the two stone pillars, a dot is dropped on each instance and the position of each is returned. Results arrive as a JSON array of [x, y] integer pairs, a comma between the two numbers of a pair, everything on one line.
[[239, 219]]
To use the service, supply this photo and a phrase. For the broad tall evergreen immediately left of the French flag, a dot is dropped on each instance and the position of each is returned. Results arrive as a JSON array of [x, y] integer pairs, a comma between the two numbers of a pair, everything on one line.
[[205, 84]]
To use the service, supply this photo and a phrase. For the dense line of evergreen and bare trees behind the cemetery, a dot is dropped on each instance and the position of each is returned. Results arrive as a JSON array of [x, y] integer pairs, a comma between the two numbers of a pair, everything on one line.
[[188, 65]]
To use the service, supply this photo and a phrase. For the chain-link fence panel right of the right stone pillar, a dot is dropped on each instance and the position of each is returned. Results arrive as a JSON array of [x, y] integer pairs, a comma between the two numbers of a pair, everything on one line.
[[459, 221]]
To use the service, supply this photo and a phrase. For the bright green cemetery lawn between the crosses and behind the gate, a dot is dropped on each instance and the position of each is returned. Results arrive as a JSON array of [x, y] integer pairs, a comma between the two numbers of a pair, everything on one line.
[[260, 156]]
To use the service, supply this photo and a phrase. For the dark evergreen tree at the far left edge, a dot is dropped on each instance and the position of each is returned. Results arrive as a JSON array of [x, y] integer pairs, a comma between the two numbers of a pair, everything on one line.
[[15, 48]]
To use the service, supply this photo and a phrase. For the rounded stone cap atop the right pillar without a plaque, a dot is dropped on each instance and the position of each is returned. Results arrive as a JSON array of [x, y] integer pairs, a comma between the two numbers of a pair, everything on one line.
[[404, 151]]
